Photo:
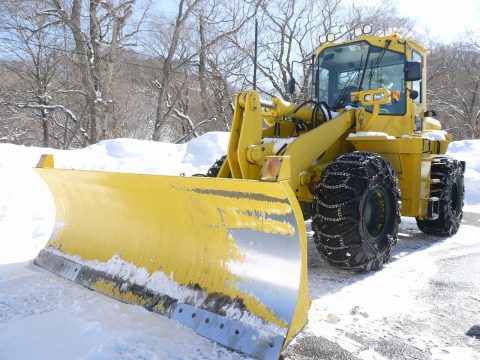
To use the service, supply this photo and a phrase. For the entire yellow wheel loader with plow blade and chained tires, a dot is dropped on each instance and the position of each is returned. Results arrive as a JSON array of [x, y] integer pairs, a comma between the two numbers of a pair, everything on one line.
[[226, 254]]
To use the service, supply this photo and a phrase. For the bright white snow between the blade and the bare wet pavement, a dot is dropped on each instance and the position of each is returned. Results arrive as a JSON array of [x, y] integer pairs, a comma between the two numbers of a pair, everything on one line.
[[390, 293]]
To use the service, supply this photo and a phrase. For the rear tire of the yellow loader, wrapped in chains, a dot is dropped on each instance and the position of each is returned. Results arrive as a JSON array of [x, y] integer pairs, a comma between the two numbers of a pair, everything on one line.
[[451, 191]]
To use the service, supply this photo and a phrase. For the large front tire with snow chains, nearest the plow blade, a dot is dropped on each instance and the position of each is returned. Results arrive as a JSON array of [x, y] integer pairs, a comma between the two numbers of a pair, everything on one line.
[[356, 212]]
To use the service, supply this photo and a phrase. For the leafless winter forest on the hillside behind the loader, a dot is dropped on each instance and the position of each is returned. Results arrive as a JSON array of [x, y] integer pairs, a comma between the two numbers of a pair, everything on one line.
[[74, 72]]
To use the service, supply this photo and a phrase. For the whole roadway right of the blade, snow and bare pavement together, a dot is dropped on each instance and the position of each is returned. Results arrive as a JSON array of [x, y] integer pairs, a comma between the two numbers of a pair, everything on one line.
[[425, 303]]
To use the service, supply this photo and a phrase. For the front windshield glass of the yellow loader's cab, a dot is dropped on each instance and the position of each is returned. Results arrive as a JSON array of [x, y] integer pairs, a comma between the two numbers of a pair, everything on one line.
[[359, 66]]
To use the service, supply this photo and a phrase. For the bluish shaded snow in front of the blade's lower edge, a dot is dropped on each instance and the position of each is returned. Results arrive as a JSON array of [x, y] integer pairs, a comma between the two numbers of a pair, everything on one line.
[[46, 317]]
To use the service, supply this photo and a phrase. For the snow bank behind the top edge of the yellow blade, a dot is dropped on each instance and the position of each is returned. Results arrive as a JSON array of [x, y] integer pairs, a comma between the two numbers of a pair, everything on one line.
[[128, 155]]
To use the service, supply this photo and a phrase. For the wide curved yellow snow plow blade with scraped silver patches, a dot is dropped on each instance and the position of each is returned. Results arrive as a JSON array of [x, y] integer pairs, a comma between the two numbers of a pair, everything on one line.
[[224, 257]]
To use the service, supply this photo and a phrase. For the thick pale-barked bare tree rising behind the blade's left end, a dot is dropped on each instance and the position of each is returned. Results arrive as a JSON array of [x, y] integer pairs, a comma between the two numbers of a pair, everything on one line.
[[97, 42]]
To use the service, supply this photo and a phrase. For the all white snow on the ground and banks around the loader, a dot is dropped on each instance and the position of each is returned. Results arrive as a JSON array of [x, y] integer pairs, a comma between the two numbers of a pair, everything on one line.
[[43, 316]]
